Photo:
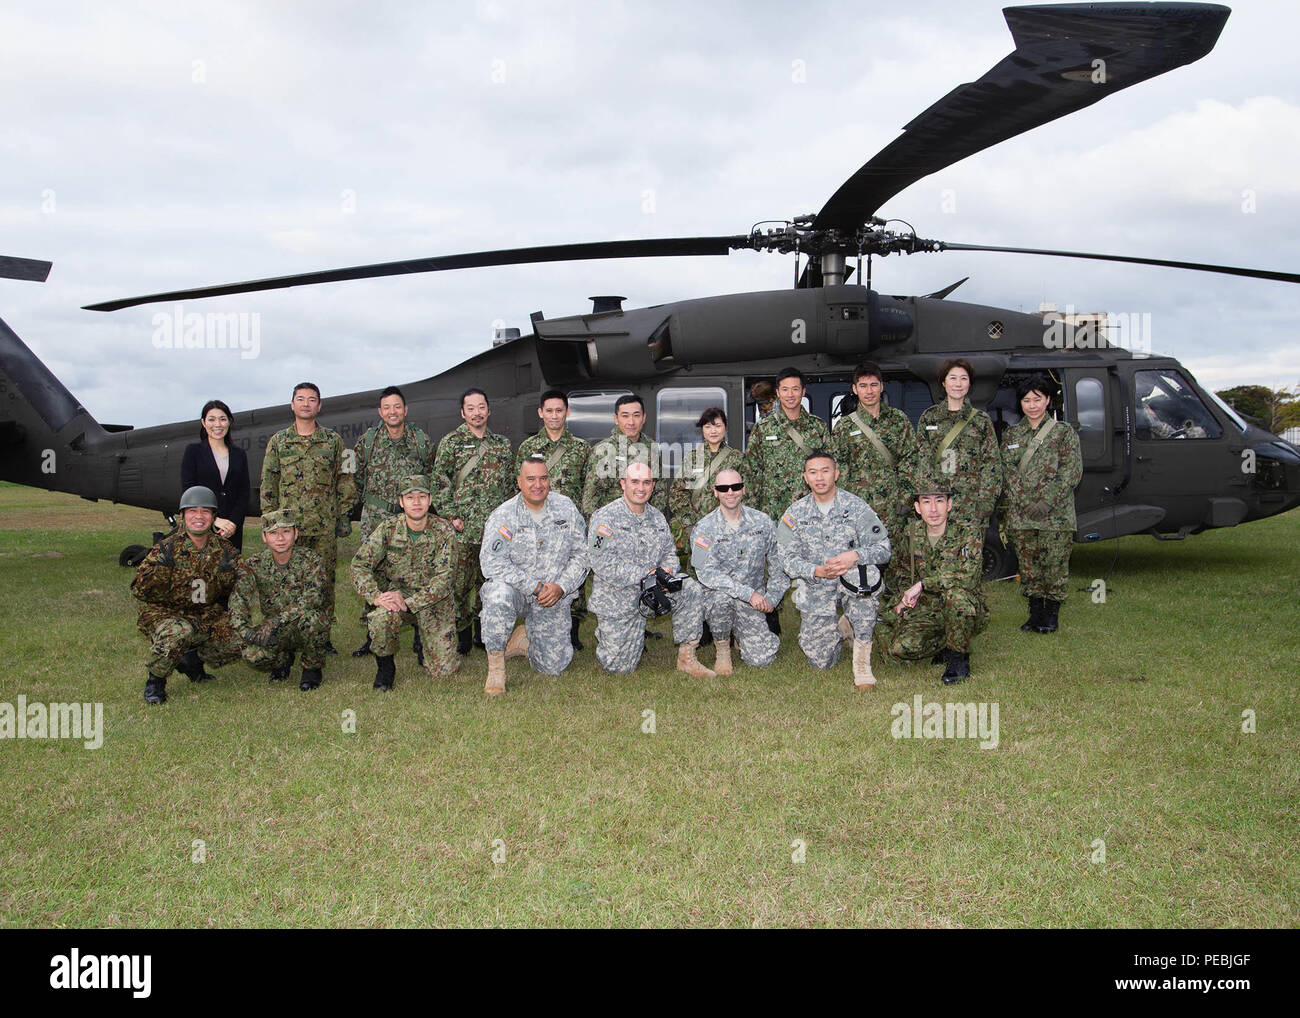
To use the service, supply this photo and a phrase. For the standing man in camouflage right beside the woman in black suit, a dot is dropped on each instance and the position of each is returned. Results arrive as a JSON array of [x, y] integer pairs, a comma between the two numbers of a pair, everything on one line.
[[304, 471]]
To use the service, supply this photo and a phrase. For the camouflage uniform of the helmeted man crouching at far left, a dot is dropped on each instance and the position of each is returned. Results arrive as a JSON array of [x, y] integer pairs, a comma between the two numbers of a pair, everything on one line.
[[184, 595]]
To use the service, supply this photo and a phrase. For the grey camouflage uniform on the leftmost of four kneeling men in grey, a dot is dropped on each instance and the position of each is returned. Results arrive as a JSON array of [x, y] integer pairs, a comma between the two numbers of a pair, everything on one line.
[[519, 555]]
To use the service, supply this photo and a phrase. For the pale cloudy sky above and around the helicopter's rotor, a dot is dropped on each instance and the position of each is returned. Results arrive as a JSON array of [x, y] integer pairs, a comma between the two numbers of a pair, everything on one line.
[[158, 146]]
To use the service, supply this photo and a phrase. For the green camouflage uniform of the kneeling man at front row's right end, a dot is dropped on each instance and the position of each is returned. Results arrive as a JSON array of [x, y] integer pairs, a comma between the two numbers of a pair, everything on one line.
[[951, 610]]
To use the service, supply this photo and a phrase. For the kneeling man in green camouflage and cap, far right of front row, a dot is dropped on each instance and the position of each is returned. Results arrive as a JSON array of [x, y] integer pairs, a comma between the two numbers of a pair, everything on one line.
[[944, 608]]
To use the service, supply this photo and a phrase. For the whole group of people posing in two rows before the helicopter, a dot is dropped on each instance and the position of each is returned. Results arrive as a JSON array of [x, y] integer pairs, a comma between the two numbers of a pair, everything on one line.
[[877, 527]]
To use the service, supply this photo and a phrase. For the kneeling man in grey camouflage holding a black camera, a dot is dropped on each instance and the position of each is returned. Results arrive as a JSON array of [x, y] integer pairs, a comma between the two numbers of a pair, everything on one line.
[[627, 542]]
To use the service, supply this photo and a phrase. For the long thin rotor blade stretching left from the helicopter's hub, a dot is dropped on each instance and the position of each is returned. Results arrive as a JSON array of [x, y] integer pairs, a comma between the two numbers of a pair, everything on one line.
[[653, 248]]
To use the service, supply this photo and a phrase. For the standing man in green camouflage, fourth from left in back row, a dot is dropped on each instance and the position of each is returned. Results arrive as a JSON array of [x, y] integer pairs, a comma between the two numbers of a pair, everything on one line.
[[475, 470]]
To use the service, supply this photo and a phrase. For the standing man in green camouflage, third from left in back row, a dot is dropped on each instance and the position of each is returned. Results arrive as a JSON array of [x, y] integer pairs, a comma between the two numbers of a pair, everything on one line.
[[387, 454]]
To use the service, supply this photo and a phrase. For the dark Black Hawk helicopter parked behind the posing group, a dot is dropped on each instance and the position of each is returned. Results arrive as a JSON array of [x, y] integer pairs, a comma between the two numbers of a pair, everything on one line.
[[1162, 456]]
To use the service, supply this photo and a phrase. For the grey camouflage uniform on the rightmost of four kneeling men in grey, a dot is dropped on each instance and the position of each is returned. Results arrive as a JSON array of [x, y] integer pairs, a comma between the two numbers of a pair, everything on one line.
[[807, 539]]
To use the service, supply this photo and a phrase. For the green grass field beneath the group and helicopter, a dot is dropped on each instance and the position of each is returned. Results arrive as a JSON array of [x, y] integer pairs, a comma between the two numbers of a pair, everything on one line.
[[774, 798]]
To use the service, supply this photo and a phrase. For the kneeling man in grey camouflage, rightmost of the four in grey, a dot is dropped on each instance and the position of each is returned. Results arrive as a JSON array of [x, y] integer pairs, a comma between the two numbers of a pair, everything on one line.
[[822, 538]]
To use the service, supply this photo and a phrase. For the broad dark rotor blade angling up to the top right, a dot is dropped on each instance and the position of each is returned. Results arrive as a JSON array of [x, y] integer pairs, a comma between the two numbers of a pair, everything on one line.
[[1068, 57]]
